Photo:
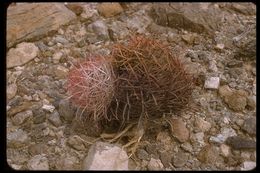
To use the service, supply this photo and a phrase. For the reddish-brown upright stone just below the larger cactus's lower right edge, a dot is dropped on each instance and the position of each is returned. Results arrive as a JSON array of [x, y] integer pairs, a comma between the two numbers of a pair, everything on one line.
[[179, 129]]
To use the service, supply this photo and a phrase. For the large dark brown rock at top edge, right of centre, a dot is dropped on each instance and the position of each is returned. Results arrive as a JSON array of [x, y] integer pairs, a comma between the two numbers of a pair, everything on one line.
[[188, 16]]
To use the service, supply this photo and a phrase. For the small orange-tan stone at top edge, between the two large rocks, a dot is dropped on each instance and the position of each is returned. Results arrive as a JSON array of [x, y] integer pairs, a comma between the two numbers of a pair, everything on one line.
[[109, 9]]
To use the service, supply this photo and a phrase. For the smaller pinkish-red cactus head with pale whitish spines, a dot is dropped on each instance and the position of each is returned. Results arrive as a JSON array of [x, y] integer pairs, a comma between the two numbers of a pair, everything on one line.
[[90, 86]]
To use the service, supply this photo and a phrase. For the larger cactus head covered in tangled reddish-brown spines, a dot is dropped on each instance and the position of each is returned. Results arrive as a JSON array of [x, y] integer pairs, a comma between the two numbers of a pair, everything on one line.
[[150, 80]]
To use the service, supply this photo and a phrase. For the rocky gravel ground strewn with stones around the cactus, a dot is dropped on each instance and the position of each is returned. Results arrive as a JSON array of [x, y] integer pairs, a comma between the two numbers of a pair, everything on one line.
[[217, 42]]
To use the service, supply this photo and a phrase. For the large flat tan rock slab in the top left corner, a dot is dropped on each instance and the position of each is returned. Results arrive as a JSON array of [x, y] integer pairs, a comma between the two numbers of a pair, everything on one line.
[[38, 19]]
